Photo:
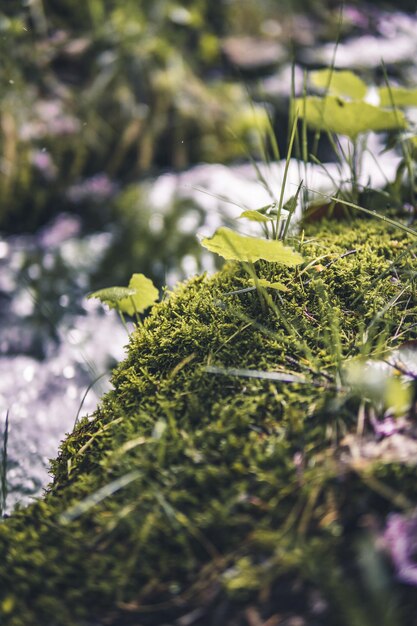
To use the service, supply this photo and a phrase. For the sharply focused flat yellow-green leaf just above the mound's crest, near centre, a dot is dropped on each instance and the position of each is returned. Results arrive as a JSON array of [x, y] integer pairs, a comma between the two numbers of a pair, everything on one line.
[[231, 245]]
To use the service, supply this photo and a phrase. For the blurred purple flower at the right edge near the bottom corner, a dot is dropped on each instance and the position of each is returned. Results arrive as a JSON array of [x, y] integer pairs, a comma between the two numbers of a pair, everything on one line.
[[400, 538]]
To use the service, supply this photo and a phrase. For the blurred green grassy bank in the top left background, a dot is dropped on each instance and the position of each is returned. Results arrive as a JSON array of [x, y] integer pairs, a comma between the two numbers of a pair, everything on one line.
[[114, 87]]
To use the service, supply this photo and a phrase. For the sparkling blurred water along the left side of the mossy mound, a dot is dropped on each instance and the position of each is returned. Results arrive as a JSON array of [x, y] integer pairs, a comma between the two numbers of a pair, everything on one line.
[[53, 345]]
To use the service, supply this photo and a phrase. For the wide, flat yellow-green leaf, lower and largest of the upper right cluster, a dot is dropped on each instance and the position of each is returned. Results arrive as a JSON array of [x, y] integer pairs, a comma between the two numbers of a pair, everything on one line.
[[348, 118]]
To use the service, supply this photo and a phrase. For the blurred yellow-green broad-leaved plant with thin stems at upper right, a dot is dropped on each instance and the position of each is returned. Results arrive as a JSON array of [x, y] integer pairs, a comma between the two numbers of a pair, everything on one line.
[[342, 109]]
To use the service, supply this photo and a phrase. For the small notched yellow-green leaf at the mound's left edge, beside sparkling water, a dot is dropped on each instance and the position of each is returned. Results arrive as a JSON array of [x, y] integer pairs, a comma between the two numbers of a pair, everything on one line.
[[140, 294]]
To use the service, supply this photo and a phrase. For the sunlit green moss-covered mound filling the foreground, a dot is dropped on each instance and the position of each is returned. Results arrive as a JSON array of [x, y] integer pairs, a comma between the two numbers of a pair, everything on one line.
[[199, 493]]
